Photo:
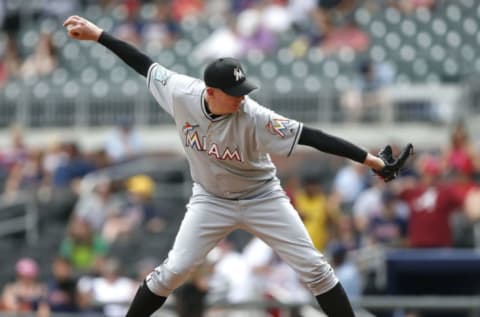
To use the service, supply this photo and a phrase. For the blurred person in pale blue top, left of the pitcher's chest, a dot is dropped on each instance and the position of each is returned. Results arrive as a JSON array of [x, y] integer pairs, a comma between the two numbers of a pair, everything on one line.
[[124, 143]]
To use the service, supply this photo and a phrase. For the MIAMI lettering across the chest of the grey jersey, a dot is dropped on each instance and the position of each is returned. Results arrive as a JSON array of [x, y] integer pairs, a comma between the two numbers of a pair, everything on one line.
[[195, 141]]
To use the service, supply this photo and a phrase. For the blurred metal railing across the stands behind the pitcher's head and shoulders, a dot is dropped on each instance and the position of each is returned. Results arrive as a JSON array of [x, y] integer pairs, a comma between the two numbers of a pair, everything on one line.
[[73, 105]]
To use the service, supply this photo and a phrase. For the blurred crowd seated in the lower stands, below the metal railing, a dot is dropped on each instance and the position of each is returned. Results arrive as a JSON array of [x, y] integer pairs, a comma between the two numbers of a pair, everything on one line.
[[352, 216]]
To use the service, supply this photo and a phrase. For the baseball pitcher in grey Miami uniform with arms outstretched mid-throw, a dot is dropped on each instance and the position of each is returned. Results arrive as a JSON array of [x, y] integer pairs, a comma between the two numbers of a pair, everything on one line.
[[228, 138]]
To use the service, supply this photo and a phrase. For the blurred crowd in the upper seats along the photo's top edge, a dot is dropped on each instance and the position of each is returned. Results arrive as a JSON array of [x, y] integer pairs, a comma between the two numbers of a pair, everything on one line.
[[238, 27]]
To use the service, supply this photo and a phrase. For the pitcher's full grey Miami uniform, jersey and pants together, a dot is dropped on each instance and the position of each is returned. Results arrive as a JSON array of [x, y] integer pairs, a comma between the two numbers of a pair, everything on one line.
[[235, 184]]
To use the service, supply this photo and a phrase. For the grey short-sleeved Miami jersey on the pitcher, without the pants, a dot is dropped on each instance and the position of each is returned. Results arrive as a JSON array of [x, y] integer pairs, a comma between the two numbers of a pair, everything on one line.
[[228, 155]]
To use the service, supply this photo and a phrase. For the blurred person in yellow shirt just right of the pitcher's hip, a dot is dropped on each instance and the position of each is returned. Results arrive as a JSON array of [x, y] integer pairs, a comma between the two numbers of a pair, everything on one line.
[[319, 217]]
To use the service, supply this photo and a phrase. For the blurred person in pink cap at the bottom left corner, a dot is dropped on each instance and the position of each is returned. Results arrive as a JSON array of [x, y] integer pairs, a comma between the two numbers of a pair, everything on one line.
[[26, 293]]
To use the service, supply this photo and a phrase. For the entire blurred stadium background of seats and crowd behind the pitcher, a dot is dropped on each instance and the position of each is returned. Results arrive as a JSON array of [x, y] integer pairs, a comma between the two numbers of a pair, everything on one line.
[[372, 71]]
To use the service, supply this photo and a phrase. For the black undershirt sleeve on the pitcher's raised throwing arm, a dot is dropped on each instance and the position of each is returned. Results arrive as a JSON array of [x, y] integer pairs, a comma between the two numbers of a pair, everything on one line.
[[129, 54]]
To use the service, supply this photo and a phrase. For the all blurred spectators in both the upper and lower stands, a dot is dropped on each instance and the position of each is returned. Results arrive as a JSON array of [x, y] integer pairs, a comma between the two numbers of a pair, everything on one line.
[[351, 215]]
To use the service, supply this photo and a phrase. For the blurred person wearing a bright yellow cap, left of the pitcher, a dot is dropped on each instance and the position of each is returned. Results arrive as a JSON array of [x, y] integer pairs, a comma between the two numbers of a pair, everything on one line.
[[138, 212]]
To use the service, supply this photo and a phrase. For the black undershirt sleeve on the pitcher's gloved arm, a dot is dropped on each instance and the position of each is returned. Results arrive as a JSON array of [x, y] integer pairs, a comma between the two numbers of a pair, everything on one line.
[[331, 144]]
